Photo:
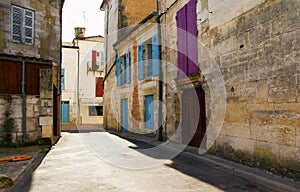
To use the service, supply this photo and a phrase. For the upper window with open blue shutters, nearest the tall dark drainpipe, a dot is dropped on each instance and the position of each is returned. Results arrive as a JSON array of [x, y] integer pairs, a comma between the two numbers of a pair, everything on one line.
[[148, 58]]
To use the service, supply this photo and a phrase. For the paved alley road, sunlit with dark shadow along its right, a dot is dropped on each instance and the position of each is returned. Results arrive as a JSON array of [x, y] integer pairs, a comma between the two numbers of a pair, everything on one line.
[[72, 165]]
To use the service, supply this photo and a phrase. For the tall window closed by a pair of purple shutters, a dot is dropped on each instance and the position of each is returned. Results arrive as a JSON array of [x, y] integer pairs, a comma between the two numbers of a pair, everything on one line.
[[187, 43]]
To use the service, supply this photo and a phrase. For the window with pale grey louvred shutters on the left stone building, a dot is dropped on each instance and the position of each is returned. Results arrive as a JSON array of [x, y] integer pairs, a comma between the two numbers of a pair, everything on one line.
[[22, 25]]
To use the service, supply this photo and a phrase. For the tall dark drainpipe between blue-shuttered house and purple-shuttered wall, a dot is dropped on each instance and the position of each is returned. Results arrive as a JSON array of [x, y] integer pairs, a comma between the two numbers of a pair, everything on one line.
[[160, 75]]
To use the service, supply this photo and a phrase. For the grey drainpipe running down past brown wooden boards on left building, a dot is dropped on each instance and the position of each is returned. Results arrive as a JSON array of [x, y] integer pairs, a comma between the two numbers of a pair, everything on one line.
[[24, 139]]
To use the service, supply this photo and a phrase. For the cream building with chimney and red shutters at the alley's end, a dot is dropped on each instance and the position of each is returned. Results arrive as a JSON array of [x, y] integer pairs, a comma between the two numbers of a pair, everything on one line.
[[83, 71]]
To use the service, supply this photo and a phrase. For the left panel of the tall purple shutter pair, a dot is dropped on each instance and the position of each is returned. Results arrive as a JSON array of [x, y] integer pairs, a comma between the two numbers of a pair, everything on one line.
[[181, 42]]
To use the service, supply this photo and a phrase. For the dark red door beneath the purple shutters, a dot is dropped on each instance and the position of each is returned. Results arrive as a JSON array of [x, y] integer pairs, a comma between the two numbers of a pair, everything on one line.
[[193, 116]]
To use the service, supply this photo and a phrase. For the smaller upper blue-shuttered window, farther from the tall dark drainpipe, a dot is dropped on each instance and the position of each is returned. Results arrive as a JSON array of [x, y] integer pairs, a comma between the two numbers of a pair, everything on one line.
[[123, 69]]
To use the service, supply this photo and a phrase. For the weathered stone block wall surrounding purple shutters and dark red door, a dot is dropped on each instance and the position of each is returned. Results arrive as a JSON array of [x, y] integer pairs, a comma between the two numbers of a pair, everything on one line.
[[256, 46]]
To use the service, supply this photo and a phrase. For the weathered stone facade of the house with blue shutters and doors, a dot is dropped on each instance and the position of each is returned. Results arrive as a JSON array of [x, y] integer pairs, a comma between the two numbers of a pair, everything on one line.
[[130, 14]]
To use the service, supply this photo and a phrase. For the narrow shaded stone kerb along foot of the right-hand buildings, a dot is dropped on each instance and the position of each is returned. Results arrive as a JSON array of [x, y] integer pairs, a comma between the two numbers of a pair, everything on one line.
[[259, 176]]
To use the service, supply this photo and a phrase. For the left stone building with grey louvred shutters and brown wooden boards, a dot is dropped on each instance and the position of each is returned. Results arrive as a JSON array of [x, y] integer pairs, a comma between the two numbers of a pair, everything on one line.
[[30, 34]]
